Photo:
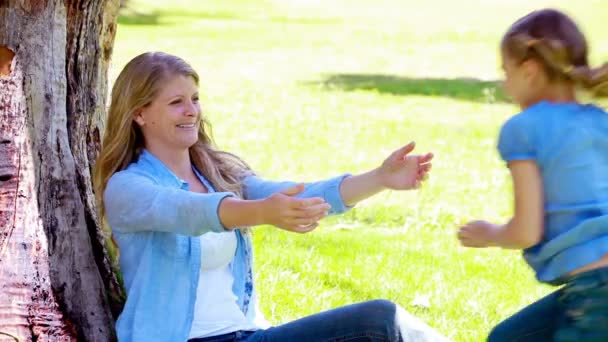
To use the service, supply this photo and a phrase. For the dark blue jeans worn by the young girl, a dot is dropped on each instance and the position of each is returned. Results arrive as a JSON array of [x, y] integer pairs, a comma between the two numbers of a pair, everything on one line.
[[576, 312]]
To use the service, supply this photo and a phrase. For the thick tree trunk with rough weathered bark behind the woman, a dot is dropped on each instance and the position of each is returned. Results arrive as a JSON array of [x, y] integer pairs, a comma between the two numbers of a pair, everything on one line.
[[56, 279]]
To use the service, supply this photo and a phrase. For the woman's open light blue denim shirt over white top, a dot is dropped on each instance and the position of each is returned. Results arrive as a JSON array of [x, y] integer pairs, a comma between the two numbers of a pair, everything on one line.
[[156, 223]]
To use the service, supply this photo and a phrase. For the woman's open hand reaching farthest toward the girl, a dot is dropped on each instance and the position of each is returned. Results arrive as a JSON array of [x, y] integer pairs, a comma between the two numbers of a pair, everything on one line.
[[401, 171]]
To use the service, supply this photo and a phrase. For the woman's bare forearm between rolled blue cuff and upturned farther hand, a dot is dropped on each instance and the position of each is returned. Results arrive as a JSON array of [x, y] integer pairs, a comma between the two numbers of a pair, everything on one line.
[[356, 188]]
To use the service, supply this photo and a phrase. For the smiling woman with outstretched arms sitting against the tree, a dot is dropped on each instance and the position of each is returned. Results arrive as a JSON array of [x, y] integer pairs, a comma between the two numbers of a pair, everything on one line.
[[178, 208]]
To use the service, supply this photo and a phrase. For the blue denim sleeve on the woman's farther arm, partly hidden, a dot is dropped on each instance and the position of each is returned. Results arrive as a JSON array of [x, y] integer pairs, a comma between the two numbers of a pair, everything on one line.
[[329, 189]]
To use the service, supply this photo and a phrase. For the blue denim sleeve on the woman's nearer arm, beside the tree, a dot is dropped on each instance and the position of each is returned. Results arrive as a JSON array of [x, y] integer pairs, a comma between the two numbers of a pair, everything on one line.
[[135, 203]]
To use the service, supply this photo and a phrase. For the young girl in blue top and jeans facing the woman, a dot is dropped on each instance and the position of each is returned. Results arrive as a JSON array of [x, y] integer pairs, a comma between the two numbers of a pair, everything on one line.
[[557, 152]]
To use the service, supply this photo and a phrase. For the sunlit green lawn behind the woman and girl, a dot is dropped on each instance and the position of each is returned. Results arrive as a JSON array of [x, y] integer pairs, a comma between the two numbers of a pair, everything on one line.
[[309, 89]]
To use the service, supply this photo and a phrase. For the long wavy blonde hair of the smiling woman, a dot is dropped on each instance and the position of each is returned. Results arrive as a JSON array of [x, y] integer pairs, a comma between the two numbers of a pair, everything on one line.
[[136, 86]]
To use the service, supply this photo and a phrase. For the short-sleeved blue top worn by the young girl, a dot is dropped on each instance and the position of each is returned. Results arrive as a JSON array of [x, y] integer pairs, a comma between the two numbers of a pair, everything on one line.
[[569, 143]]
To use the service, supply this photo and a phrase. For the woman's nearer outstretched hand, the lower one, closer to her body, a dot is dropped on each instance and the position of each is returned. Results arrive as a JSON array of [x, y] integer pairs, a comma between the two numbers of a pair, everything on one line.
[[293, 214]]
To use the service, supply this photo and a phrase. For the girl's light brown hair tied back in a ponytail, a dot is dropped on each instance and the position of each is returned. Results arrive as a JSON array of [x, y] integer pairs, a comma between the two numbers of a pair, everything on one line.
[[553, 39]]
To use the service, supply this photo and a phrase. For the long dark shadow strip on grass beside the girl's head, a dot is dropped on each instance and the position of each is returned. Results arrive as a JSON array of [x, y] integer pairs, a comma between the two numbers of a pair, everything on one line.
[[468, 89]]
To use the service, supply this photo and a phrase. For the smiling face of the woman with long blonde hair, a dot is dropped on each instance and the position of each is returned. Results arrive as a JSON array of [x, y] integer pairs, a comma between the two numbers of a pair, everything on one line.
[[171, 121]]
